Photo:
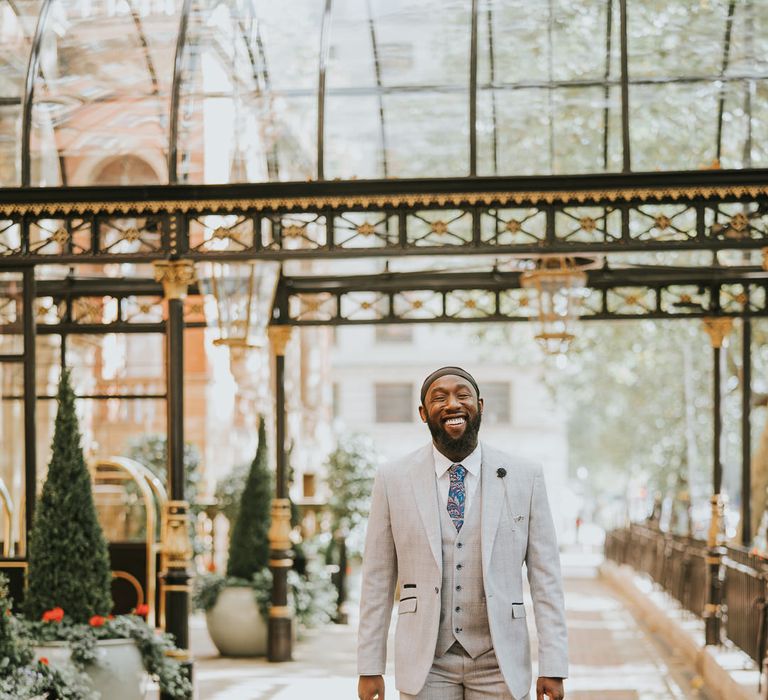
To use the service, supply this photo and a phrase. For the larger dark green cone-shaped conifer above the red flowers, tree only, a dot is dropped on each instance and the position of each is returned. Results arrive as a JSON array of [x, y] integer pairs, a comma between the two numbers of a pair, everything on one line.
[[68, 556]]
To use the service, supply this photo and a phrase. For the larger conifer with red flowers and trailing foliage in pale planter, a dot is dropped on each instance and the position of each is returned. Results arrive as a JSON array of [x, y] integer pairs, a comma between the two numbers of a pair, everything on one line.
[[68, 601]]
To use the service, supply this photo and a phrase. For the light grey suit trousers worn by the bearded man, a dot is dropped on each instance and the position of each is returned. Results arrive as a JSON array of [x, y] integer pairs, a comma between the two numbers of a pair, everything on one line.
[[457, 676]]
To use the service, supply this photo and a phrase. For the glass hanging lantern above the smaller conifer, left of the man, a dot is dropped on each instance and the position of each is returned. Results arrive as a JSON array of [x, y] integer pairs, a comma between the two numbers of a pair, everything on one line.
[[244, 294]]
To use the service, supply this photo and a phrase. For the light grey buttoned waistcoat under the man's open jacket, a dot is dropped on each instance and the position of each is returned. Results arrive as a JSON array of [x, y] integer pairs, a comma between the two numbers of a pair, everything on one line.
[[463, 614]]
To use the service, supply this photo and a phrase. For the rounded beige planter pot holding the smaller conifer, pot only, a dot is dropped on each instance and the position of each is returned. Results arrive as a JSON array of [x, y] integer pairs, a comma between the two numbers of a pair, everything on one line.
[[235, 624]]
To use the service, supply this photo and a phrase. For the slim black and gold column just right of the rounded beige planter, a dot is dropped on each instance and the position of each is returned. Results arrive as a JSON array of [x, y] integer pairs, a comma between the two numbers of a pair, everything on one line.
[[279, 642]]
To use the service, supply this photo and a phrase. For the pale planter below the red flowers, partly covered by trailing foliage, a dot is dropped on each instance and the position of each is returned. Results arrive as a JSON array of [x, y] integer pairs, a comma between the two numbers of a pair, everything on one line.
[[118, 673]]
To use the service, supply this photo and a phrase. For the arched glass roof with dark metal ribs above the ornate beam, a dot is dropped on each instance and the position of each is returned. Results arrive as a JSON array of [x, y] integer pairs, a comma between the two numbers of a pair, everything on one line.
[[209, 91]]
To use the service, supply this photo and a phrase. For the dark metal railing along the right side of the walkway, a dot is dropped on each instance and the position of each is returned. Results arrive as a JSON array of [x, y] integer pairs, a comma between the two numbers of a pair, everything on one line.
[[679, 566]]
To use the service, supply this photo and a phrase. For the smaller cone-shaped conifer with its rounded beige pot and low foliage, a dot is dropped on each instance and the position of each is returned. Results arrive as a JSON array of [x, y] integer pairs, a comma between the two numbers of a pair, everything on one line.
[[236, 604]]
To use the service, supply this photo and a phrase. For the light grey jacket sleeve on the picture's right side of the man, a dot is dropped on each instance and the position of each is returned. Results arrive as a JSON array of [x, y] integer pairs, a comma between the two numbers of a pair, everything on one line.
[[543, 560]]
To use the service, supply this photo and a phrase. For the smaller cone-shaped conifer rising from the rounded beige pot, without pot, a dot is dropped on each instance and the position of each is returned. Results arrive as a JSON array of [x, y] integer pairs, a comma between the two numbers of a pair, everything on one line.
[[249, 543]]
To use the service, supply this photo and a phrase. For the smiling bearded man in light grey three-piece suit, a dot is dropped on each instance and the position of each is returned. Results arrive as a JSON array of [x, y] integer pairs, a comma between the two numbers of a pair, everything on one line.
[[454, 522]]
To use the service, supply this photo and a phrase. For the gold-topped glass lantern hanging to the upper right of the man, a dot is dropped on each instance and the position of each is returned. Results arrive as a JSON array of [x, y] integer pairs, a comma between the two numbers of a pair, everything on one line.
[[558, 281]]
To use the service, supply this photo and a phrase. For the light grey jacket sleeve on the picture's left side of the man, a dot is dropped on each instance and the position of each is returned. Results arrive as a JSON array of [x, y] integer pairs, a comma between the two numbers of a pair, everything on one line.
[[378, 589]]
